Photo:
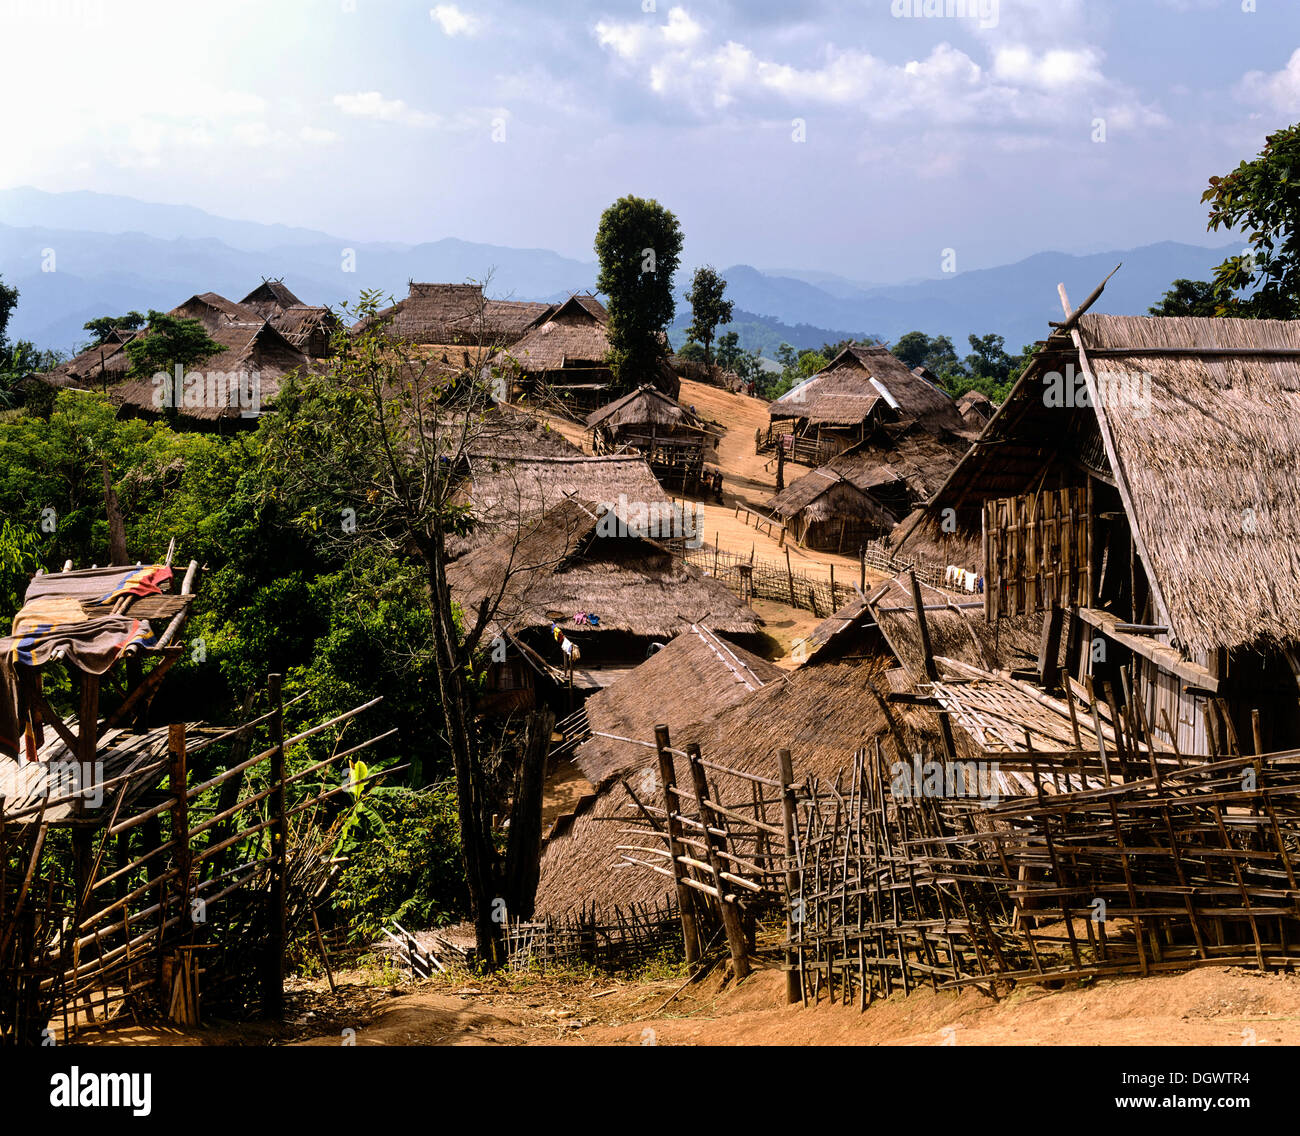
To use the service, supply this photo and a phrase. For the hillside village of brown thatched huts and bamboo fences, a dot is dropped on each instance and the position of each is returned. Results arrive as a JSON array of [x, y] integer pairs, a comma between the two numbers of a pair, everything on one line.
[[729, 649]]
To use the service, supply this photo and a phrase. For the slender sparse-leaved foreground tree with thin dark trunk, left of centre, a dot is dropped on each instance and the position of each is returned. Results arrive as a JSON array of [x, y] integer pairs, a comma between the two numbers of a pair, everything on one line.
[[380, 440]]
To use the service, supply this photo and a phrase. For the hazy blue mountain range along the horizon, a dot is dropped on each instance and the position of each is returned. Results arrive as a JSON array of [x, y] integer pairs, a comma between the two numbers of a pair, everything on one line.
[[80, 255]]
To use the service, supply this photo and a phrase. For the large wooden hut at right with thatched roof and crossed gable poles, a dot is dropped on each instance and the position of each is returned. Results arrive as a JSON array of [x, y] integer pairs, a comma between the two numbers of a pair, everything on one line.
[[1181, 439]]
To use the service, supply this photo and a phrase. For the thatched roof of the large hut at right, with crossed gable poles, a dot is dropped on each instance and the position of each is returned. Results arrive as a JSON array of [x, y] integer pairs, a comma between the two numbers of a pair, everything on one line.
[[1207, 443]]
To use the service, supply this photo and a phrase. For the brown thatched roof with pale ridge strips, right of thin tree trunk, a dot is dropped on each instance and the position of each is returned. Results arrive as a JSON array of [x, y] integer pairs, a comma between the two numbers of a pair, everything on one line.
[[694, 677]]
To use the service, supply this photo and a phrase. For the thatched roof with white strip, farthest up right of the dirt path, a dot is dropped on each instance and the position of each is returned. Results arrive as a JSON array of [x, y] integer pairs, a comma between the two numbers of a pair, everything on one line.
[[863, 384]]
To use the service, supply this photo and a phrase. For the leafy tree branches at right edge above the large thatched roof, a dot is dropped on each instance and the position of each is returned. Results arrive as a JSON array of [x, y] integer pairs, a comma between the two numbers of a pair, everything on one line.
[[1262, 198]]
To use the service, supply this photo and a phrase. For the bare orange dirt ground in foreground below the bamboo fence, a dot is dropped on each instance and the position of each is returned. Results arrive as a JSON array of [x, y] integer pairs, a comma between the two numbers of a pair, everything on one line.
[[1199, 1008]]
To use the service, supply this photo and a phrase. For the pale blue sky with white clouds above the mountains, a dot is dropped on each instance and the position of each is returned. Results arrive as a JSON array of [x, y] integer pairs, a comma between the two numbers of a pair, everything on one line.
[[518, 123]]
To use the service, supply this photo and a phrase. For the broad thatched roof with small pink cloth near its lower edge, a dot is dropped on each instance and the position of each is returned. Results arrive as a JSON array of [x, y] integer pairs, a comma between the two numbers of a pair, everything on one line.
[[571, 560]]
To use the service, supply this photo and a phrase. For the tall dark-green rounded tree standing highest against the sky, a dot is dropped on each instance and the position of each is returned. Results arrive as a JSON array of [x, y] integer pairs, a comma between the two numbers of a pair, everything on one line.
[[639, 246]]
